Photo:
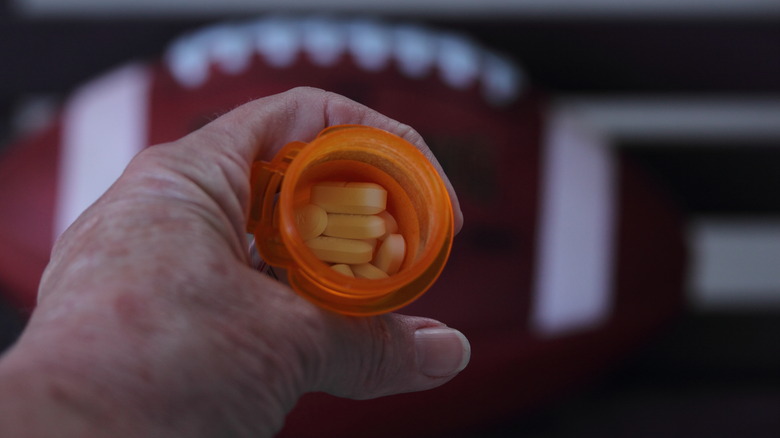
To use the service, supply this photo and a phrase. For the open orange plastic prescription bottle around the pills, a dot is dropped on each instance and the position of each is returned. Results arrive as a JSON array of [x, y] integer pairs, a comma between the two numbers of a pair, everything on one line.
[[416, 196]]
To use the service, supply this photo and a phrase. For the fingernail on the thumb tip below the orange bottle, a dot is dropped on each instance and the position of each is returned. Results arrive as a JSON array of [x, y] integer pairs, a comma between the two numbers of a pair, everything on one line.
[[441, 351]]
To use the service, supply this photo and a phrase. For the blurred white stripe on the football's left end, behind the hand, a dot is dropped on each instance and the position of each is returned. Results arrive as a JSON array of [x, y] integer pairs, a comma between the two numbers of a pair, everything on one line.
[[104, 127]]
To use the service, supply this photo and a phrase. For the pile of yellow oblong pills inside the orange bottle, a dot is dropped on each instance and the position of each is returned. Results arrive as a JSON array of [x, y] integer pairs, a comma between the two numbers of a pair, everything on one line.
[[346, 225]]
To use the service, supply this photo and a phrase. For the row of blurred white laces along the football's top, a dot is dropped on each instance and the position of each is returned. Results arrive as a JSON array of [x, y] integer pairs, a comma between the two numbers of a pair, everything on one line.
[[416, 51]]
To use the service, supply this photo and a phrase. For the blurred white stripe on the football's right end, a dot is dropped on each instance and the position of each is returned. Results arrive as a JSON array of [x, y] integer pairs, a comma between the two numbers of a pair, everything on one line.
[[573, 289]]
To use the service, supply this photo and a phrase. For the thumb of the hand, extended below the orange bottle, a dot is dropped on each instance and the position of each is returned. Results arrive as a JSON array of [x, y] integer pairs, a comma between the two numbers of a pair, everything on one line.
[[391, 354]]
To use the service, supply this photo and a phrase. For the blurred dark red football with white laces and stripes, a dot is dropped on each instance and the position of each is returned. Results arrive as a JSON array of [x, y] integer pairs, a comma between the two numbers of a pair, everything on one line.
[[569, 256]]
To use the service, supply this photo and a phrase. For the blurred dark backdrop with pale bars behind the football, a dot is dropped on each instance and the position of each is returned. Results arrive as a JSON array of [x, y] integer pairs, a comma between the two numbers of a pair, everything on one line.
[[688, 92]]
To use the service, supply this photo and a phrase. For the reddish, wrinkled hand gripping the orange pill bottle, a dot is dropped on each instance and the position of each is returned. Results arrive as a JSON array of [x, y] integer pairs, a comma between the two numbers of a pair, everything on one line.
[[151, 323]]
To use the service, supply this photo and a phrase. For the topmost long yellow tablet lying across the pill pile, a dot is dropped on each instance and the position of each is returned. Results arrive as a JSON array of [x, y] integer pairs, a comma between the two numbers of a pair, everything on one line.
[[349, 197]]
